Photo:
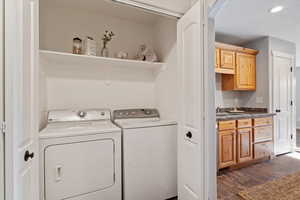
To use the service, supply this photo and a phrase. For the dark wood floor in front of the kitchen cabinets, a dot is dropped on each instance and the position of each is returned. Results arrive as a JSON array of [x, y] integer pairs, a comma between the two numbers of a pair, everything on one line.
[[230, 183]]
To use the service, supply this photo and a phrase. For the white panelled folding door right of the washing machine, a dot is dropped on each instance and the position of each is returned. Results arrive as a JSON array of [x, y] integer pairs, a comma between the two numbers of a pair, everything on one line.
[[191, 123]]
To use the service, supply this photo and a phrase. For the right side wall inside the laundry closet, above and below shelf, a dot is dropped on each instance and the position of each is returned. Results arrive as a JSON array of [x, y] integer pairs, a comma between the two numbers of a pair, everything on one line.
[[166, 82]]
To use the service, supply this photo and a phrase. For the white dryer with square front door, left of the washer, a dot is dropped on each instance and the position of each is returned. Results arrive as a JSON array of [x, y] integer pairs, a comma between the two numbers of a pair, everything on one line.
[[80, 156]]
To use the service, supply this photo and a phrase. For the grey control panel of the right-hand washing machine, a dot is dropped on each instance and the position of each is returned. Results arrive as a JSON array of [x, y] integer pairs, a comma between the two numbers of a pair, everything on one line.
[[136, 113]]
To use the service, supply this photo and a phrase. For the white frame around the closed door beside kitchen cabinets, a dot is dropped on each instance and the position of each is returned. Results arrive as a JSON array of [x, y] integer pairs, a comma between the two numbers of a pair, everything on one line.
[[272, 108]]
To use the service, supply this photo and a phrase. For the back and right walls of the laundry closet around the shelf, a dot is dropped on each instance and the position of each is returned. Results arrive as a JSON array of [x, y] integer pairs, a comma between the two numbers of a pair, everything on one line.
[[100, 86]]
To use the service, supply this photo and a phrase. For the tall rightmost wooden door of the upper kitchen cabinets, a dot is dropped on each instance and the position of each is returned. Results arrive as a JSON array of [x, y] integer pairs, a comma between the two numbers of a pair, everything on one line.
[[246, 71]]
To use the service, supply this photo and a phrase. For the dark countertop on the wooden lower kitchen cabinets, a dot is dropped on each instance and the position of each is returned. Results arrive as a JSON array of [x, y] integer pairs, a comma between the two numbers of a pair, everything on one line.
[[235, 116]]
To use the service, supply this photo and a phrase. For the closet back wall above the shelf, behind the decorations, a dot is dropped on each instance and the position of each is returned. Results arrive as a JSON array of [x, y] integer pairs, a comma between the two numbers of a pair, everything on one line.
[[74, 22]]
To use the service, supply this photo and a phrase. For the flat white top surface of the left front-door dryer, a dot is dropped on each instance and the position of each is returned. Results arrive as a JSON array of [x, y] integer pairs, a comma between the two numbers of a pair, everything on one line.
[[69, 129]]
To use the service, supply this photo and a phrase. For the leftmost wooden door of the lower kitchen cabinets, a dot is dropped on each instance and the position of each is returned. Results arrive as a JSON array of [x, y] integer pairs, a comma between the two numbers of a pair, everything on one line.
[[227, 148]]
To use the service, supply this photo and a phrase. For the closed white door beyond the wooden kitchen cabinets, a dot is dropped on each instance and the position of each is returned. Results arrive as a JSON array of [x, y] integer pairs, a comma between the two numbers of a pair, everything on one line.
[[282, 102]]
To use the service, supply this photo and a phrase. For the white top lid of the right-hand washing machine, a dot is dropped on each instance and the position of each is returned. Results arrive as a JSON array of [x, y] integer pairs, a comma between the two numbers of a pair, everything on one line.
[[143, 123]]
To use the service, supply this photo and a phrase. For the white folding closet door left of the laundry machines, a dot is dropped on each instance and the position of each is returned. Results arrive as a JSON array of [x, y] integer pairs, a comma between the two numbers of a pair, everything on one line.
[[21, 59]]
